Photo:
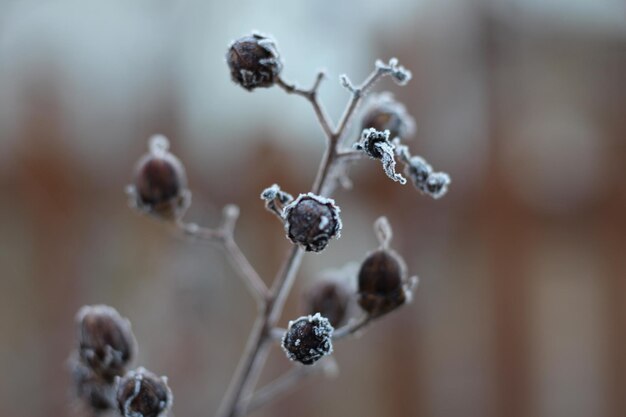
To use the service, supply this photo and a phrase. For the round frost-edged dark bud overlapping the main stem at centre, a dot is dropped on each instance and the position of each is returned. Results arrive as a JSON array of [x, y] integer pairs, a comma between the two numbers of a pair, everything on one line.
[[311, 221]]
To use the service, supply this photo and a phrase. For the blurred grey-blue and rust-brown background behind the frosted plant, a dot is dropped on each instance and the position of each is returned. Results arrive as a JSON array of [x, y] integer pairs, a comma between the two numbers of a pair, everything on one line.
[[521, 309]]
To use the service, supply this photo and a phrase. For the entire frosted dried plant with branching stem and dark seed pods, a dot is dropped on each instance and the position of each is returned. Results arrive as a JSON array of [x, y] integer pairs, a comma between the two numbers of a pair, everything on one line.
[[106, 345]]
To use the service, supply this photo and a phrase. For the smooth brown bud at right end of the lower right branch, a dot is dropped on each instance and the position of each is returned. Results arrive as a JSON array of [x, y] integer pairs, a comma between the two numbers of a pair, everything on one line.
[[382, 282]]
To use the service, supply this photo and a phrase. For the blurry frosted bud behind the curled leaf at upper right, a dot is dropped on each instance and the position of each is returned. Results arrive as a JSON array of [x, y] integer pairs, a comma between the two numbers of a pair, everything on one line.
[[383, 112]]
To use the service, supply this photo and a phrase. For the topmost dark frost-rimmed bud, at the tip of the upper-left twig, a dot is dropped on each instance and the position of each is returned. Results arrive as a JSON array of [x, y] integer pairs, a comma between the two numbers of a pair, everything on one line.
[[254, 61]]
